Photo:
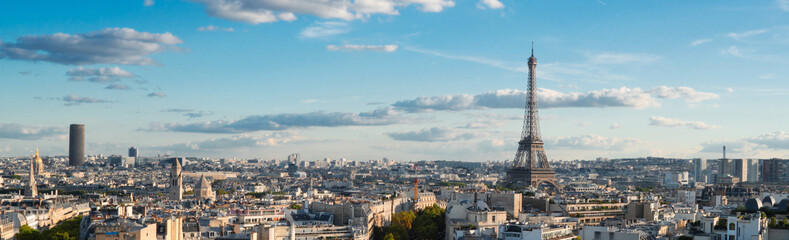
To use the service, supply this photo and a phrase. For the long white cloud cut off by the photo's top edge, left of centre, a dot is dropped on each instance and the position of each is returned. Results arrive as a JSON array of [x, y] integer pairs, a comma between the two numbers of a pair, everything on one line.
[[264, 11]]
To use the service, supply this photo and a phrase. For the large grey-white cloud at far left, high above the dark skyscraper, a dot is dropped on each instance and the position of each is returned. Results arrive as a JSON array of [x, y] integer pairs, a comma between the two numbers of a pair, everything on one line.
[[107, 46]]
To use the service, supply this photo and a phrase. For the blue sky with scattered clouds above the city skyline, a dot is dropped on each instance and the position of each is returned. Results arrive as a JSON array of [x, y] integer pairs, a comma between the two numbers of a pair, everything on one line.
[[435, 79]]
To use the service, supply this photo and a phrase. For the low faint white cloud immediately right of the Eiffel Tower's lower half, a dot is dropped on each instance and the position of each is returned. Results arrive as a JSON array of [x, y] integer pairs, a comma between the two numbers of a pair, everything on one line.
[[591, 142]]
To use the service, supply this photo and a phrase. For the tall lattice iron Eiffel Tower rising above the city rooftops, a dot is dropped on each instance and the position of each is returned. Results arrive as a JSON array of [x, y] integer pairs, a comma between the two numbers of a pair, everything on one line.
[[530, 166]]
